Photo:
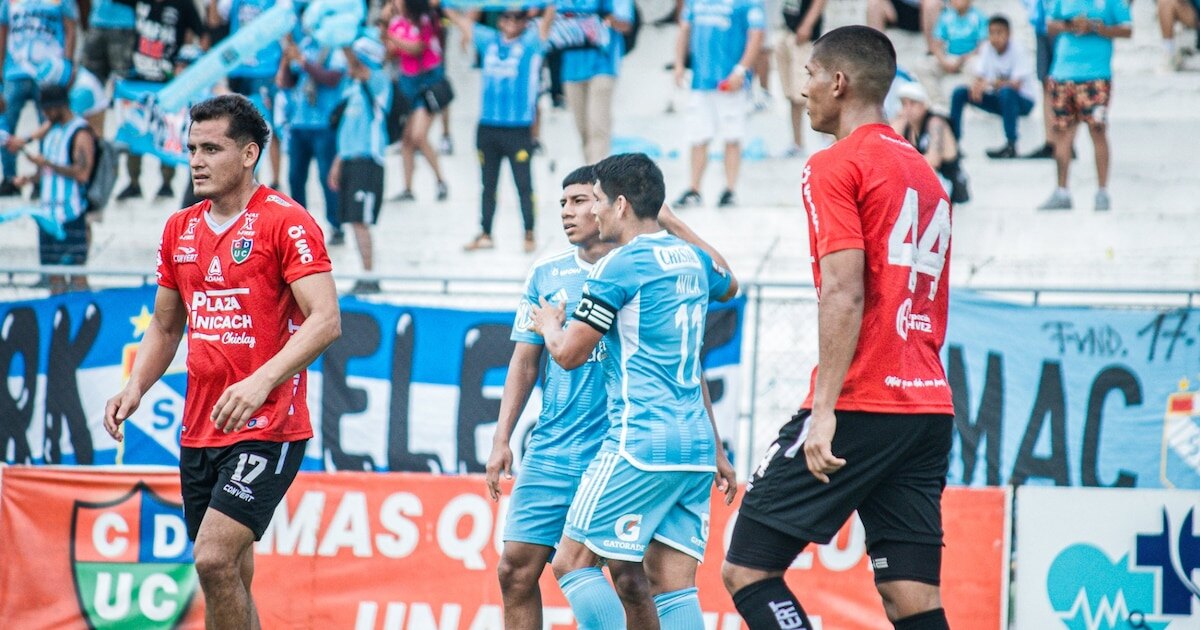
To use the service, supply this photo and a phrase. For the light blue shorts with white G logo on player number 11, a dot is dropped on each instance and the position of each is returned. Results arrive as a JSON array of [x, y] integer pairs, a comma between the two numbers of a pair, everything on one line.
[[620, 509]]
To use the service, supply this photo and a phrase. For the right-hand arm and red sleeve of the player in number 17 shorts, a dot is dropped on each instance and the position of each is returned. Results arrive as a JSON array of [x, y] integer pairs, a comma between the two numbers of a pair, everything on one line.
[[311, 281]]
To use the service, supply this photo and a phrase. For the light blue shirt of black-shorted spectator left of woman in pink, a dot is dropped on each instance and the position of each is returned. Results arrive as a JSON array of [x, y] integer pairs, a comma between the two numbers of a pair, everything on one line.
[[364, 128]]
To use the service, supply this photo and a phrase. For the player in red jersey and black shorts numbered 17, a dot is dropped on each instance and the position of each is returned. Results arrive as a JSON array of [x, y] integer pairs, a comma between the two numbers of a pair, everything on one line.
[[247, 271]]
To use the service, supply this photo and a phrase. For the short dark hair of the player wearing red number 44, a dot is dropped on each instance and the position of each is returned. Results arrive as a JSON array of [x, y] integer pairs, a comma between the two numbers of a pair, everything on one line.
[[863, 55]]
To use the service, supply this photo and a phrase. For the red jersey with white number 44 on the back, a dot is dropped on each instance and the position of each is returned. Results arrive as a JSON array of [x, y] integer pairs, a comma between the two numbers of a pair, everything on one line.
[[873, 191]]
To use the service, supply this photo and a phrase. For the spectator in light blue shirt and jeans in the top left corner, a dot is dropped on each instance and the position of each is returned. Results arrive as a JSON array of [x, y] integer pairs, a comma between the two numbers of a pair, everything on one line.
[[33, 32]]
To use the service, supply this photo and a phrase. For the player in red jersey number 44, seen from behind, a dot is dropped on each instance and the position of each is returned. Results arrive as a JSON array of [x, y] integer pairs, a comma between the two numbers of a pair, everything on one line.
[[874, 433]]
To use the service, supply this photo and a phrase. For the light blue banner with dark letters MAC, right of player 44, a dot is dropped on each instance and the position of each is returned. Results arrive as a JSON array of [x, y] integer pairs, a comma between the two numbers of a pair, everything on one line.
[[1073, 397]]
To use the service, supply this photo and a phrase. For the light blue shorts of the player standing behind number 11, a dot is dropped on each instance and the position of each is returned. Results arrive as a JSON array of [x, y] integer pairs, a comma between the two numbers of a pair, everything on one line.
[[538, 508]]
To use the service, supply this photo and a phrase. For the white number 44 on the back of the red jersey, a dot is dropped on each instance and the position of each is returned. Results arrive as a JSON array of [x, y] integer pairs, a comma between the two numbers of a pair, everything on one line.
[[922, 254]]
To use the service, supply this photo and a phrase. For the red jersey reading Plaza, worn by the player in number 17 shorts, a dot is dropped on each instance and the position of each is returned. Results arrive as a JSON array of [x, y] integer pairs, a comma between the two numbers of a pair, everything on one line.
[[235, 280]]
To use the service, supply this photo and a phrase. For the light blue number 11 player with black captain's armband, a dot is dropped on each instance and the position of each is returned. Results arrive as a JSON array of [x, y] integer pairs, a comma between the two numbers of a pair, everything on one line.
[[645, 500]]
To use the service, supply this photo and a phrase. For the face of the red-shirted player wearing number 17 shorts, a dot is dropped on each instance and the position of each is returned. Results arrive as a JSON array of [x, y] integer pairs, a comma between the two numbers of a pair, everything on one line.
[[219, 163]]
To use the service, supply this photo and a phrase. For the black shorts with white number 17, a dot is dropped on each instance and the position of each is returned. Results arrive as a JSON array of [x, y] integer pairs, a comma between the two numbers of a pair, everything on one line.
[[244, 482]]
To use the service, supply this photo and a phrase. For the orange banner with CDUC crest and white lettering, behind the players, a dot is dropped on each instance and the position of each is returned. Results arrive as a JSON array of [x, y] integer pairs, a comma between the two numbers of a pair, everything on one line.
[[391, 551]]
